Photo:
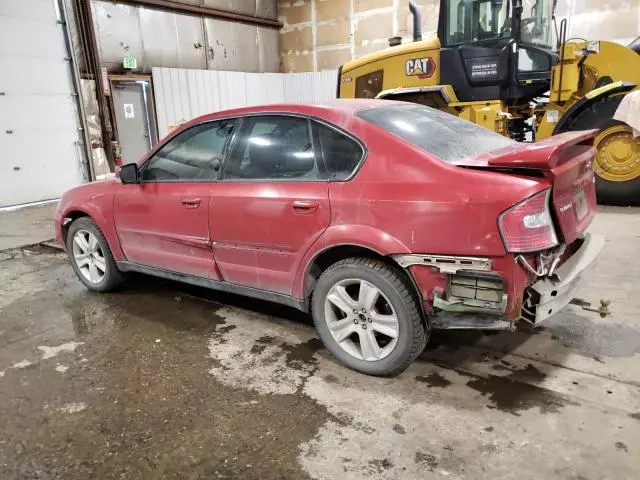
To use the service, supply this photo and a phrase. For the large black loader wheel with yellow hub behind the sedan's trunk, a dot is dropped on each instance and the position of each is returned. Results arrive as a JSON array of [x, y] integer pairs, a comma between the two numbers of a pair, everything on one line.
[[617, 163]]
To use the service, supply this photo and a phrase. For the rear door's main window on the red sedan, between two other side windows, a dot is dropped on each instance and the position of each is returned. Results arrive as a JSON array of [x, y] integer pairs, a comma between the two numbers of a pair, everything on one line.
[[272, 147]]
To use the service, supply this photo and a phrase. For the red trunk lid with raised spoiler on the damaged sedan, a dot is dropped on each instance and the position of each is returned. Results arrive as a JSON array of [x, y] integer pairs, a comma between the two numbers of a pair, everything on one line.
[[565, 160]]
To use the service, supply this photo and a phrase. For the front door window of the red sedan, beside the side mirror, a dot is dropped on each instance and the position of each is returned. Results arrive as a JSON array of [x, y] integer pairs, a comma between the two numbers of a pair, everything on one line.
[[194, 155]]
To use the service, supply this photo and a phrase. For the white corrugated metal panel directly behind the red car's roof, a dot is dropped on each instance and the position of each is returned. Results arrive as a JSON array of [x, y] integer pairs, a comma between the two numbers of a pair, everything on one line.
[[182, 94]]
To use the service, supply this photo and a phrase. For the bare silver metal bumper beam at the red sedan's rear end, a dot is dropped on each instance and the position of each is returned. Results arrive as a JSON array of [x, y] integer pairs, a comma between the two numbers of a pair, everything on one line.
[[548, 296]]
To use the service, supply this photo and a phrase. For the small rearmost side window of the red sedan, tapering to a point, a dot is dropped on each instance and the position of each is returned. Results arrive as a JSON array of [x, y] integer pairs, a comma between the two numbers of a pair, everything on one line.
[[341, 154]]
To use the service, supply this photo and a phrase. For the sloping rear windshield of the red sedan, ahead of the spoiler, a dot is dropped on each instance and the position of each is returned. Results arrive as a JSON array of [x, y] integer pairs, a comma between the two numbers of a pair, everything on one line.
[[443, 135]]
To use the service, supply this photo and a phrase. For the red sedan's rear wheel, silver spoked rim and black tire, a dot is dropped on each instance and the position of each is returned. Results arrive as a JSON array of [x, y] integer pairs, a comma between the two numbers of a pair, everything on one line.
[[395, 297]]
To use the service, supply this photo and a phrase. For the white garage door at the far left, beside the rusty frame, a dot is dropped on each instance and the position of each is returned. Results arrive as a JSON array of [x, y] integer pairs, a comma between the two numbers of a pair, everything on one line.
[[40, 156]]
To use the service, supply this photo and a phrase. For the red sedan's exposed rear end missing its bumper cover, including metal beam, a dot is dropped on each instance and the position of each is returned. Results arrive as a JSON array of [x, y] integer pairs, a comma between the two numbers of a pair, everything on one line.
[[496, 293]]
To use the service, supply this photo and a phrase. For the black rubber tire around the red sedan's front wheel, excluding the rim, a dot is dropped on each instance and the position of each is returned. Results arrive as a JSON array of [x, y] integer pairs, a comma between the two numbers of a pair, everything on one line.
[[112, 278]]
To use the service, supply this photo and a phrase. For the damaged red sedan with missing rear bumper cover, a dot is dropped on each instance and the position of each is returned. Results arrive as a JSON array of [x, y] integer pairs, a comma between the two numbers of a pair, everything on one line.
[[383, 219]]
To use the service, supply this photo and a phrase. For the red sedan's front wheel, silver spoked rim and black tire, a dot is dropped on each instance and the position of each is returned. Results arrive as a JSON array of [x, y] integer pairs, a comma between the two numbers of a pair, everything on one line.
[[100, 256]]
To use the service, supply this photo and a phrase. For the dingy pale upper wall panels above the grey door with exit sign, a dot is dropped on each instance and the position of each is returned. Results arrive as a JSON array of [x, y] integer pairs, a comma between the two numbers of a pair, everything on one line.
[[158, 38]]
